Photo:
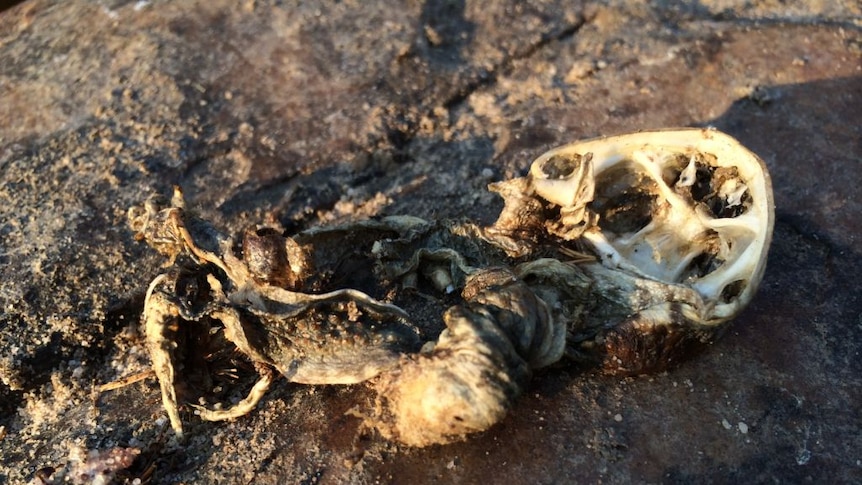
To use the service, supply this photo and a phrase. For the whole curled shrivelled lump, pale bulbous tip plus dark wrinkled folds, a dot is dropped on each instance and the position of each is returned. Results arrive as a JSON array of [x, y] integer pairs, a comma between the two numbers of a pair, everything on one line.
[[477, 367]]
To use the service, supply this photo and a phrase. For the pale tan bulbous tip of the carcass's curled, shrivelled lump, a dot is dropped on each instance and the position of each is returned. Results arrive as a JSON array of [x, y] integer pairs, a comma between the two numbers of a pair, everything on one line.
[[466, 385]]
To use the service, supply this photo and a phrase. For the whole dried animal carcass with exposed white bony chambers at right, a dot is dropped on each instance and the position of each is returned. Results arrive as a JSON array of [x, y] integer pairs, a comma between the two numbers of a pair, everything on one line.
[[627, 252]]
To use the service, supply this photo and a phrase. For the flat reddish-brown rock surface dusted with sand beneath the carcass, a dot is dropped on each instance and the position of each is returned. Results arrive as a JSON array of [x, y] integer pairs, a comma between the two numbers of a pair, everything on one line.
[[315, 114]]
